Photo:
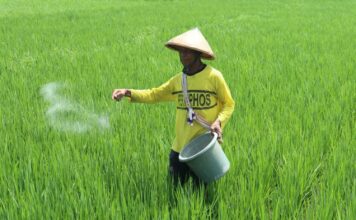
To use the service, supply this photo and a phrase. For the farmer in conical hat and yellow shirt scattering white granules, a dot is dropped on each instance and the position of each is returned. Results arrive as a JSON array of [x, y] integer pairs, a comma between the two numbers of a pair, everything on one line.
[[201, 95]]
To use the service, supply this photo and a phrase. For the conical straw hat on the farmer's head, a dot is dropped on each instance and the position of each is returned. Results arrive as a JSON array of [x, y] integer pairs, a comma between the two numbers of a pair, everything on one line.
[[194, 40]]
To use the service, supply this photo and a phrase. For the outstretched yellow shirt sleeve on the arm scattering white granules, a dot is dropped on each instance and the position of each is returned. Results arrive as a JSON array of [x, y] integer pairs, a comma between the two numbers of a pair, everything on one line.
[[159, 94]]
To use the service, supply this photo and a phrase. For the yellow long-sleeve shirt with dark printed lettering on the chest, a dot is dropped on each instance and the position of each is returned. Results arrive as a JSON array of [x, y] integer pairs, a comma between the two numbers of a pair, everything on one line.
[[209, 96]]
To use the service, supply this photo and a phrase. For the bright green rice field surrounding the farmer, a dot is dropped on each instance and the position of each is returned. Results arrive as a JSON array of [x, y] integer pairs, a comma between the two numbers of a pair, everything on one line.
[[68, 151]]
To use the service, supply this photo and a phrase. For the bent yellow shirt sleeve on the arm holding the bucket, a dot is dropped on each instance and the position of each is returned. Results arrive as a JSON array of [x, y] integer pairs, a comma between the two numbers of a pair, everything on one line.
[[224, 96]]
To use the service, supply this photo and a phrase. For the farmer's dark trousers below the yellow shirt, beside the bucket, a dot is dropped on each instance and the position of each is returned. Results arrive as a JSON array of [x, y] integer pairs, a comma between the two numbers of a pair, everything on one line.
[[180, 172]]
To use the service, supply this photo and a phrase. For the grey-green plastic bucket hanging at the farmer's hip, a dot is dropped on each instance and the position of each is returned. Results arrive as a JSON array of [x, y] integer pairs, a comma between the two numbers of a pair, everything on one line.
[[205, 157]]
